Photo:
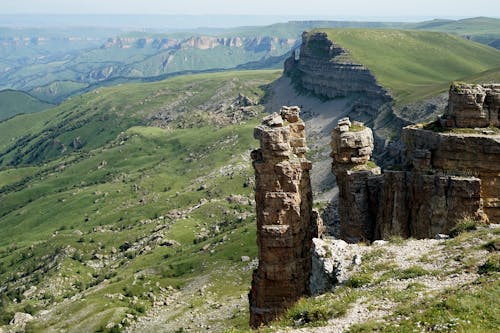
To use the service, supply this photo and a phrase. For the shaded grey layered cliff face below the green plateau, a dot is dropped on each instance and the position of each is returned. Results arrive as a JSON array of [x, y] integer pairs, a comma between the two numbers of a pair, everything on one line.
[[326, 69]]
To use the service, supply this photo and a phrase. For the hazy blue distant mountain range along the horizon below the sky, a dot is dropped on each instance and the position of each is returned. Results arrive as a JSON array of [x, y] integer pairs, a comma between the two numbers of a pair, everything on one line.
[[53, 64]]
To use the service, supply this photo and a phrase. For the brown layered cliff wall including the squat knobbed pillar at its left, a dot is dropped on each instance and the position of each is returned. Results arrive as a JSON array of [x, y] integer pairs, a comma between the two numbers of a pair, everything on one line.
[[419, 202]]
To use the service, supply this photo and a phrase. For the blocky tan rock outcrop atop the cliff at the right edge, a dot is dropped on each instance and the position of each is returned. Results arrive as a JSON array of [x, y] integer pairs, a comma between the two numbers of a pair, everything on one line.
[[473, 105]]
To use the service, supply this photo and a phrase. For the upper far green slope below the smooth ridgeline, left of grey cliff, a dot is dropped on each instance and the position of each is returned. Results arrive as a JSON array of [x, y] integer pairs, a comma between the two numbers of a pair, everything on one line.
[[99, 116]]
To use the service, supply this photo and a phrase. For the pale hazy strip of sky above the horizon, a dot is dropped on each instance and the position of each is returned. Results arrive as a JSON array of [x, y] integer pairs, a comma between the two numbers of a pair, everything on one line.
[[323, 8]]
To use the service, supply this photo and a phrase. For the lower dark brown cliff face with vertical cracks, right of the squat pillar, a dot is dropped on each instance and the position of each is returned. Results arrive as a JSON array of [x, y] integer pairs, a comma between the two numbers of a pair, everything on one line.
[[414, 204]]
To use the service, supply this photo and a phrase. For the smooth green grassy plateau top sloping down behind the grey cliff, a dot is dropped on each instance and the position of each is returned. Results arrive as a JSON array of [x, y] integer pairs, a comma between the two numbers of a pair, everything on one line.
[[413, 64]]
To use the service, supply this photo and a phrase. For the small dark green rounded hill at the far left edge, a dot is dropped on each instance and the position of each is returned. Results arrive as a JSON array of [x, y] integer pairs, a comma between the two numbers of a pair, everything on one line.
[[15, 102]]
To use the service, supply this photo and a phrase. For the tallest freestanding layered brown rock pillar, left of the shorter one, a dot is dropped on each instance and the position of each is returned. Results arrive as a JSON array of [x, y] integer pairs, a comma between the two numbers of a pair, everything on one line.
[[285, 221]]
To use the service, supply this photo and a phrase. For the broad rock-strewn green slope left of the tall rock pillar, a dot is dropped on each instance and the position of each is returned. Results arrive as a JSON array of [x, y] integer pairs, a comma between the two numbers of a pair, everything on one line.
[[58, 218]]
